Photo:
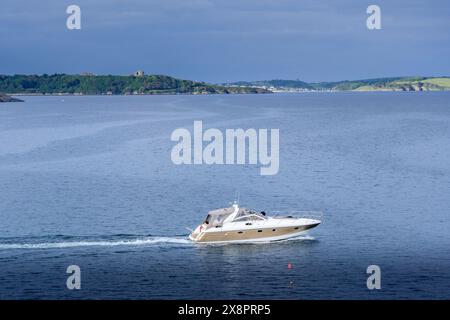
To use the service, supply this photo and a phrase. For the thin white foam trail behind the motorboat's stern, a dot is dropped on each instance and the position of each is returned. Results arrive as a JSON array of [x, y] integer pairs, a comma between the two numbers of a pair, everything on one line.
[[110, 243]]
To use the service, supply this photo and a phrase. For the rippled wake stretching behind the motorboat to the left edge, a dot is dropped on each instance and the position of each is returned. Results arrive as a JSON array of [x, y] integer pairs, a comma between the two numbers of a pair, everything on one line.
[[61, 242]]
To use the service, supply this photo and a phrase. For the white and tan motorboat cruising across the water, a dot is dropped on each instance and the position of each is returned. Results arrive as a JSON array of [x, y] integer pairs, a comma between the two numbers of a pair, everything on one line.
[[236, 224]]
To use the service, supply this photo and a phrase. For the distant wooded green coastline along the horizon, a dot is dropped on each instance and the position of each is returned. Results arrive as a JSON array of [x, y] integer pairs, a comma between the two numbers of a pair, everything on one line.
[[140, 84]]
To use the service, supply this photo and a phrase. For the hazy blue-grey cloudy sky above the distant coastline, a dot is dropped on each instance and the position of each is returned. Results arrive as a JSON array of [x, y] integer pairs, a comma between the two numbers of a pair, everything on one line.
[[227, 40]]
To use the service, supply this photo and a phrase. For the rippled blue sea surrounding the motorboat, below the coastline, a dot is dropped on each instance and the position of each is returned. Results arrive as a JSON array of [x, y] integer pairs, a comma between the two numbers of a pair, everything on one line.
[[89, 181]]
